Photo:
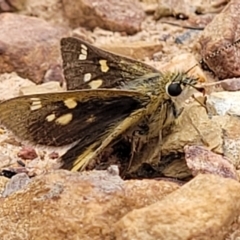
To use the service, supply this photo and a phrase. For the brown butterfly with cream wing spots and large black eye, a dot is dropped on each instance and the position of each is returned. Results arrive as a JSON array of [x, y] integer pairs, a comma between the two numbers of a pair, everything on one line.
[[111, 100]]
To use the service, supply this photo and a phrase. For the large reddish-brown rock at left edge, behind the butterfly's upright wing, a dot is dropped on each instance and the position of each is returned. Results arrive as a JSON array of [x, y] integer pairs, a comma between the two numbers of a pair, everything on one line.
[[31, 46]]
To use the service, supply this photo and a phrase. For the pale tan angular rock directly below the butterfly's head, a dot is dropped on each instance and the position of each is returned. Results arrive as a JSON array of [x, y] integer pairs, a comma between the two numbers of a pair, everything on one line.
[[194, 126]]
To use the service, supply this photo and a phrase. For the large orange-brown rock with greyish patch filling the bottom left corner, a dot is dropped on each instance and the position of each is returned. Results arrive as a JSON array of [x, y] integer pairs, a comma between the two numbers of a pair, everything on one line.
[[65, 205]]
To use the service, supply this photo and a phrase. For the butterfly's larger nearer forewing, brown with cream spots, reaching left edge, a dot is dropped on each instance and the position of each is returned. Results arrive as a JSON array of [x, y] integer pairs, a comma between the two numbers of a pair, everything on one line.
[[63, 118]]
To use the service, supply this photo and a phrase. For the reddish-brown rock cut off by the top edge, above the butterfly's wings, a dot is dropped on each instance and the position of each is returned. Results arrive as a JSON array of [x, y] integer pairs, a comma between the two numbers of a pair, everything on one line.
[[125, 16]]
